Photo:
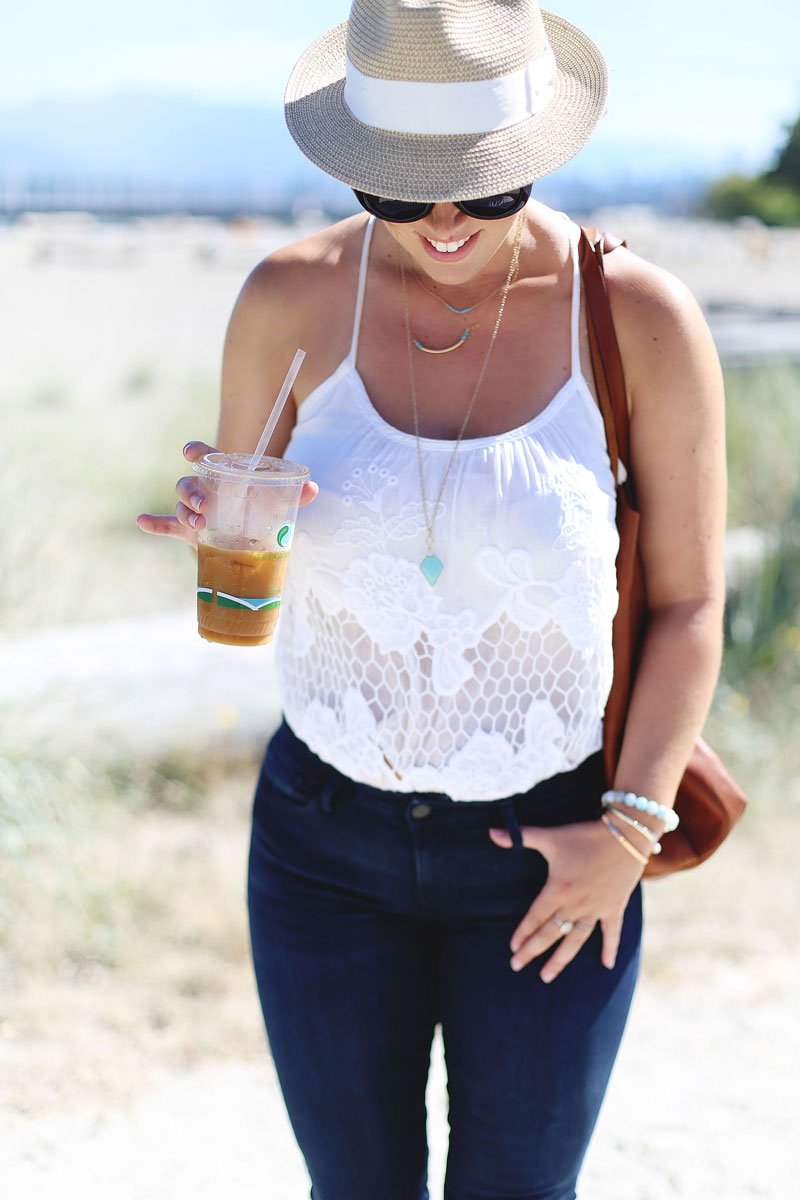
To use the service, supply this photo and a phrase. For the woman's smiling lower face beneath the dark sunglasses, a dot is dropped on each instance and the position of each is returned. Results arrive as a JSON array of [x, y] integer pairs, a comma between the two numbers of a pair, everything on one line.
[[453, 248]]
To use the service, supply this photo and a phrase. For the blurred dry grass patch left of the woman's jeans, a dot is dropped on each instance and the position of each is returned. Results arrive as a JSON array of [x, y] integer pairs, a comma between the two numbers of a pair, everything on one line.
[[123, 931]]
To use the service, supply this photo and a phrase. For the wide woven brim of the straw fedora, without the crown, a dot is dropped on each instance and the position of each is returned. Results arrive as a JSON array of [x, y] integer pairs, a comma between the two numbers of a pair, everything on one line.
[[444, 167]]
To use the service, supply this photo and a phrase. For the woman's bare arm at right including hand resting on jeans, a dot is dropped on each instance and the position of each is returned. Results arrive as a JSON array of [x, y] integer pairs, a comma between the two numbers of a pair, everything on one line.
[[678, 459]]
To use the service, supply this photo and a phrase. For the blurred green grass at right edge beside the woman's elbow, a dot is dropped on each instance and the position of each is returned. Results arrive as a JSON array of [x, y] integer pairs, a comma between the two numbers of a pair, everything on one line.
[[755, 715]]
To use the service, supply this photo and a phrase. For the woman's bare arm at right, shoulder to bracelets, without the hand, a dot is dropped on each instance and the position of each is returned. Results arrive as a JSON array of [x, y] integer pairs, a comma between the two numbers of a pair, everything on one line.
[[678, 458]]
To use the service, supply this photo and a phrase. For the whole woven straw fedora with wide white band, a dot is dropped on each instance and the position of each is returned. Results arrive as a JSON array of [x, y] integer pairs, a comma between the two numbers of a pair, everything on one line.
[[444, 100]]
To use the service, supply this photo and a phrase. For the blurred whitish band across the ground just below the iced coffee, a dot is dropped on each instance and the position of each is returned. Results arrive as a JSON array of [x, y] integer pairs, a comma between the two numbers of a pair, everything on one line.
[[147, 686]]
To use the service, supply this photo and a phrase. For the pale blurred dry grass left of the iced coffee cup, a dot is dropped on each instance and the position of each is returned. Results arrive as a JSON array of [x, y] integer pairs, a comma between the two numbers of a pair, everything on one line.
[[73, 483]]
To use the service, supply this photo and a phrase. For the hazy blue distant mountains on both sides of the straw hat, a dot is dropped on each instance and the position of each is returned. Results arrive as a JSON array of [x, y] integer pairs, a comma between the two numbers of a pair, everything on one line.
[[187, 143]]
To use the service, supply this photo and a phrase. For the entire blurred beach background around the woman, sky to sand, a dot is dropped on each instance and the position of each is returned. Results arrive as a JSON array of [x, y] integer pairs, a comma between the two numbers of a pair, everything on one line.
[[145, 171]]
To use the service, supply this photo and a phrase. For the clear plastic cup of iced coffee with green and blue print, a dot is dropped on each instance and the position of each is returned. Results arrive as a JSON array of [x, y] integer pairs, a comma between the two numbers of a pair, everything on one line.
[[244, 549]]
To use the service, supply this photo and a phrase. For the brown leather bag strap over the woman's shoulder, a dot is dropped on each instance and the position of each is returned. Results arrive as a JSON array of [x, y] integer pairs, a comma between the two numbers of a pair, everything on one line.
[[606, 361]]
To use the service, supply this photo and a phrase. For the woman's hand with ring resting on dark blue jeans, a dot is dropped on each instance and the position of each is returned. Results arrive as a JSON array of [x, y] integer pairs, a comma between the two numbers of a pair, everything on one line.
[[590, 880]]
